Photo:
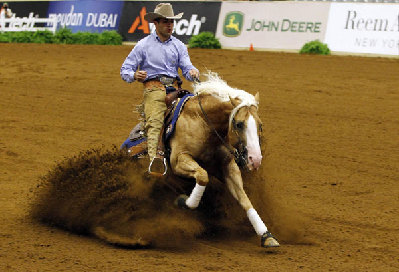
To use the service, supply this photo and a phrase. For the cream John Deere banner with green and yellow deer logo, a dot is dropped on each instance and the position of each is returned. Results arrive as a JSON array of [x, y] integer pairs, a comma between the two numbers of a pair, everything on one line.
[[271, 25]]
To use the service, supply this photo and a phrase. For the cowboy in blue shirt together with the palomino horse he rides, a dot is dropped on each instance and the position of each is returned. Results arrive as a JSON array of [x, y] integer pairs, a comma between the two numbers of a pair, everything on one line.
[[218, 109]]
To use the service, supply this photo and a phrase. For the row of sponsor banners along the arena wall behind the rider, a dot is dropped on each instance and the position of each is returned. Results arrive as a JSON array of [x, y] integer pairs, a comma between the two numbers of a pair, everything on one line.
[[369, 28]]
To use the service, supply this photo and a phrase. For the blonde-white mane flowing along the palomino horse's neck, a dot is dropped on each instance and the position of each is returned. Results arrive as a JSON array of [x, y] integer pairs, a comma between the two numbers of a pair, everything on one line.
[[217, 87]]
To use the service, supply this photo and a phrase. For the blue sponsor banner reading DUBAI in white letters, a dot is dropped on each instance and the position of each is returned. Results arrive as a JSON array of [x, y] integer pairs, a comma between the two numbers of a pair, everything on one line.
[[91, 16]]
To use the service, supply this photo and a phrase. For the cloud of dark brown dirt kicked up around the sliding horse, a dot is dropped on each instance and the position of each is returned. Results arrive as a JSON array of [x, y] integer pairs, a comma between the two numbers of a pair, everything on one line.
[[107, 194]]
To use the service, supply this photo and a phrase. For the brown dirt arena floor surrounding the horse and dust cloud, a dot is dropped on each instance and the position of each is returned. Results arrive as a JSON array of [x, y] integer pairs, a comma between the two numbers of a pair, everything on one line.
[[331, 162]]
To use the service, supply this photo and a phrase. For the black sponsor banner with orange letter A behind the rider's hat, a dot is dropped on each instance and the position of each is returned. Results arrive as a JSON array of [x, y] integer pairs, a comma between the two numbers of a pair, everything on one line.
[[198, 17]]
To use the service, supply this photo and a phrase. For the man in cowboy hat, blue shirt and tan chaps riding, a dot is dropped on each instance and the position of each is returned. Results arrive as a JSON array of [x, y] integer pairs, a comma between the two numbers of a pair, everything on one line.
[[155, 61]]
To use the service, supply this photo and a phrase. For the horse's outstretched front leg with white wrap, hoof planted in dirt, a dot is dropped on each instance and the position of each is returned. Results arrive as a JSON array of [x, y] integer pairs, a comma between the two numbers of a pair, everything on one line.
[[234, 182]]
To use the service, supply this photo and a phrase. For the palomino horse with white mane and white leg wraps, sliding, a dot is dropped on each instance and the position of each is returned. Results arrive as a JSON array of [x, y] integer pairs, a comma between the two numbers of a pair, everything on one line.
[[221, 126]]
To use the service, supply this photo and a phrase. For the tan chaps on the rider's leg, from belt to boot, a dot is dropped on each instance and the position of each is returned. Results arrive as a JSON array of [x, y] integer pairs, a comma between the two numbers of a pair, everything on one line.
[[154, 109]]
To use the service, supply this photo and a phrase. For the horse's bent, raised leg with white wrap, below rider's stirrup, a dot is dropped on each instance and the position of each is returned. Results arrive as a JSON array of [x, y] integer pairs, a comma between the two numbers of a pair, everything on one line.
[[184, 165]]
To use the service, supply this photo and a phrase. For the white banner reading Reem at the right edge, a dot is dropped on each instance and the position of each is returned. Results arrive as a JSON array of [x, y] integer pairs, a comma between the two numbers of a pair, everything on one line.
[[361, 28]]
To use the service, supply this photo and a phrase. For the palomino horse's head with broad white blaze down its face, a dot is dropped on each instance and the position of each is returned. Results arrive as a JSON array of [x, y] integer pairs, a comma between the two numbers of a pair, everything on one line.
[[244, 133]]
